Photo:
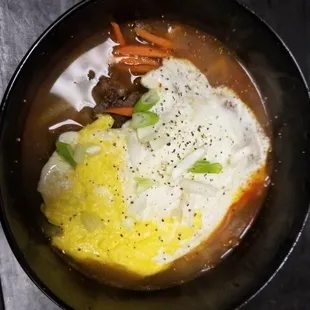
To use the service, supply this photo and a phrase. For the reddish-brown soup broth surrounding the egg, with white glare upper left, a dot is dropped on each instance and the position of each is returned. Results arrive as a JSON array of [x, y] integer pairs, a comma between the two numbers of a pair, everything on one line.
[[52, 114]]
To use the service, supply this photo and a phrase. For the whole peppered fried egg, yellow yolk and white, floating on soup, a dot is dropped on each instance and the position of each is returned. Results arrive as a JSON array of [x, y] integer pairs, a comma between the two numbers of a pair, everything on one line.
[[134, 203]]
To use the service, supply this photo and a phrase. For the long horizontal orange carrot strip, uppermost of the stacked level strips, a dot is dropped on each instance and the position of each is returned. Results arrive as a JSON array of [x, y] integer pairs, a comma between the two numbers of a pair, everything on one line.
[[141, 50]]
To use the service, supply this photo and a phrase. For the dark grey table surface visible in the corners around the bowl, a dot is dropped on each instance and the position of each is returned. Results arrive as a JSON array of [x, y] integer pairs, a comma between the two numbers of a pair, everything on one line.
[[22, 21]]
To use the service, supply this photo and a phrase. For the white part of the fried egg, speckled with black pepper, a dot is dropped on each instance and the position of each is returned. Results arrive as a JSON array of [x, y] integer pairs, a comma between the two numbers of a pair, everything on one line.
[[196, 121]]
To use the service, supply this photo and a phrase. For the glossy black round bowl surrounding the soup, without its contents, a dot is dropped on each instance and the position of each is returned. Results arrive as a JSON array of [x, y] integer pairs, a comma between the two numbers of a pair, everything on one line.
[[279, 224]]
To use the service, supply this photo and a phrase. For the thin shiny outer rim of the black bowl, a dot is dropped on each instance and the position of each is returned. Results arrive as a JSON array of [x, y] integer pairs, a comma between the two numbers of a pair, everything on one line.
[[5, 223]]
